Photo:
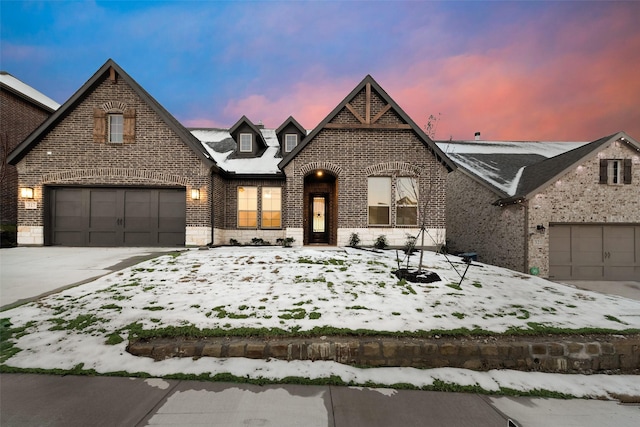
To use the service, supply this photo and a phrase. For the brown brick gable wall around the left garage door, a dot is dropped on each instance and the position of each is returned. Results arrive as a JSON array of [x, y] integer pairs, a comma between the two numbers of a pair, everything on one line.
[[68, 156]]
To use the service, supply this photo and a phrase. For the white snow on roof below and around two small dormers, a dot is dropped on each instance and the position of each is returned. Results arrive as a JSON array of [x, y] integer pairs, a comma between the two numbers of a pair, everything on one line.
[[220, 146]]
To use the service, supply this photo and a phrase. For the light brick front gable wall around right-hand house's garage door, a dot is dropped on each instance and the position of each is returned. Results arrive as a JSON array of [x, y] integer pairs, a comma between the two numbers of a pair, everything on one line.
[[577, 197]]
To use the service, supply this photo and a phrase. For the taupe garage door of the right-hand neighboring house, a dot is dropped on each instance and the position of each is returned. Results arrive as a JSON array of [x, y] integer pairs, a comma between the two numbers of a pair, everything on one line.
[[594, 252]]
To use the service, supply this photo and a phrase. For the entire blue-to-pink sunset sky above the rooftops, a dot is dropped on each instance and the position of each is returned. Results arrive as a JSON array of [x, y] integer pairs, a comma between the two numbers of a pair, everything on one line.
[[512, 70]]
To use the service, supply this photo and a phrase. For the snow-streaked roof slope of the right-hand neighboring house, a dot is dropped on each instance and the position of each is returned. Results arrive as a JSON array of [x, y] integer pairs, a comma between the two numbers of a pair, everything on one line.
[[502, 163]]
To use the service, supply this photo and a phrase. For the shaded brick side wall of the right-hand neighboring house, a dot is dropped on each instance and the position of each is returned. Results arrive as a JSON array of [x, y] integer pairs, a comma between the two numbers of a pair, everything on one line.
[[495, 233]]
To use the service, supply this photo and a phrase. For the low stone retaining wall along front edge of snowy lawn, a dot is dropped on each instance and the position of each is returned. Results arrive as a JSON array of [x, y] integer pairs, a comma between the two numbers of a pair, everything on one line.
[[587, 354]]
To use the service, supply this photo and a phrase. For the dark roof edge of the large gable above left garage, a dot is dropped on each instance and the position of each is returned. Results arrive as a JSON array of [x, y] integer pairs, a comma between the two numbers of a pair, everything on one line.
[[78, 97]]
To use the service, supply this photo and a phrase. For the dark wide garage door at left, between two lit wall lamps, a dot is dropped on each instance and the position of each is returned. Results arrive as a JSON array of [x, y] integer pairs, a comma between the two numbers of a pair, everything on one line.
[[116, 217]]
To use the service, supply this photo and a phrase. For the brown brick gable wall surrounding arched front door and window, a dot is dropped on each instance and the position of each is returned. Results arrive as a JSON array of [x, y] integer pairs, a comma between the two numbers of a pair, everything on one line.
[[352, 155]]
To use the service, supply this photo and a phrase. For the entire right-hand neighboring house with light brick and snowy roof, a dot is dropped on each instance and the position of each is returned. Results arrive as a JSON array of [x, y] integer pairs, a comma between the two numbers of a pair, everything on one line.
[[561, 210]]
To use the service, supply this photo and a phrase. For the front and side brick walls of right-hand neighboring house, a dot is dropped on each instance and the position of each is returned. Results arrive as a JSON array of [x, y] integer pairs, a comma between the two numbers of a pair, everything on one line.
[[509, 236]]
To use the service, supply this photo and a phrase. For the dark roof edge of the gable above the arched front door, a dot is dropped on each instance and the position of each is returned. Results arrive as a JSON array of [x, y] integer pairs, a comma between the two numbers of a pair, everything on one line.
[[368, 80]]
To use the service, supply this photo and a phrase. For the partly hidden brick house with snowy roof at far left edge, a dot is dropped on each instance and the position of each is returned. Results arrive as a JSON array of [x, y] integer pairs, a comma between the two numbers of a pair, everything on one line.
[[22, 109]]
